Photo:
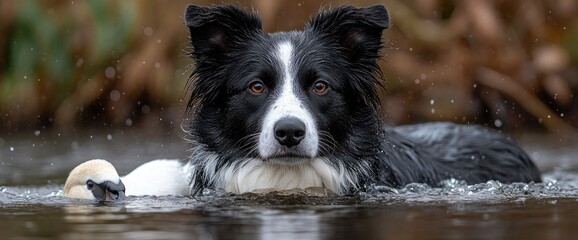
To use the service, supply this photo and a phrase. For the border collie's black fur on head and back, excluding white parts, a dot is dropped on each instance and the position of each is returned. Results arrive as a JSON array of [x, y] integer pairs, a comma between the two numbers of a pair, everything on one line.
[[341, 46]]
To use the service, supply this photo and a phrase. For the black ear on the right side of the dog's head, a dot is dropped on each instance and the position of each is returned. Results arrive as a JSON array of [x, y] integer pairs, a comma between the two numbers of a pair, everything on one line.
[[357, 30]]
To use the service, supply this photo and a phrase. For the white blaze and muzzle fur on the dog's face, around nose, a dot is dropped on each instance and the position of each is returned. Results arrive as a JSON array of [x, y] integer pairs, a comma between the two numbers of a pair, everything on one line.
[[287, 104]]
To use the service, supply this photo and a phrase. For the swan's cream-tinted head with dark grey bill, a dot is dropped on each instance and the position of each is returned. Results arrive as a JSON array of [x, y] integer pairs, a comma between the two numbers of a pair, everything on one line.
[[94, 179]]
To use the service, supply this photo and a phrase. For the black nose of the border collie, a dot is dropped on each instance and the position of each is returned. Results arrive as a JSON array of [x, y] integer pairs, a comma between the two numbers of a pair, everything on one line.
[[289, 131]]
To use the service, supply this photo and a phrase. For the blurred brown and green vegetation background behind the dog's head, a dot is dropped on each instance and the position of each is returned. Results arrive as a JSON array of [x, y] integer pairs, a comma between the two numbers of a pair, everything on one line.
[[76, 65]]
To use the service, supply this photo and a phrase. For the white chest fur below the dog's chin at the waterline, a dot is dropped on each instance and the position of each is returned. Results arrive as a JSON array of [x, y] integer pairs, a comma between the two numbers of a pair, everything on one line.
[[248, 175]]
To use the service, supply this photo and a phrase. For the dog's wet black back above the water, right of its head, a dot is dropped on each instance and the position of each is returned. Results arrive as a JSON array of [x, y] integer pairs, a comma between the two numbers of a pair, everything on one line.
[[445, 150]]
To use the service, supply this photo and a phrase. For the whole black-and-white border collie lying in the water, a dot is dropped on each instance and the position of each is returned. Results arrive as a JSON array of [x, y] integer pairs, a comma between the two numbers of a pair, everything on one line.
[[299, 109]]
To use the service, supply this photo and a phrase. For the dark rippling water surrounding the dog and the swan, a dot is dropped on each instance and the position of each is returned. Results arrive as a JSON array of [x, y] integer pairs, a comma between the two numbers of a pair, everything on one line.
[[33, 168]]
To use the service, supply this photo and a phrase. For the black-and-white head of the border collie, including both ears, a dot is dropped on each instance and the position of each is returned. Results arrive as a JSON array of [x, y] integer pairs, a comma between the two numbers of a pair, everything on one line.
[[288, 96]]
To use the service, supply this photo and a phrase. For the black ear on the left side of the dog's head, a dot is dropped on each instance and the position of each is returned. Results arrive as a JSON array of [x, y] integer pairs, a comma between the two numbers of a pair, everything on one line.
[[218, 30]]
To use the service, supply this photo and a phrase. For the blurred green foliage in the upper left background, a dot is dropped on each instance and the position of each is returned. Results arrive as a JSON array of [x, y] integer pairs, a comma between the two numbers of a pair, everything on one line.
[[41, 46]]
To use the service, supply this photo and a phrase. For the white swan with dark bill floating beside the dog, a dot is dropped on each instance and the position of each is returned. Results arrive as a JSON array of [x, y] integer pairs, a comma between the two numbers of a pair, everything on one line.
[[98, 179]]
